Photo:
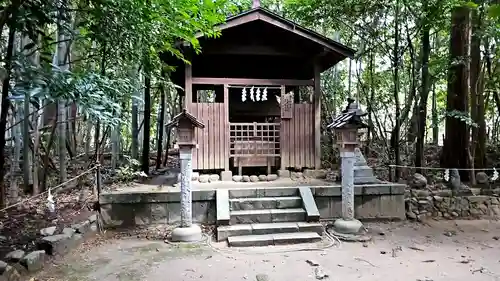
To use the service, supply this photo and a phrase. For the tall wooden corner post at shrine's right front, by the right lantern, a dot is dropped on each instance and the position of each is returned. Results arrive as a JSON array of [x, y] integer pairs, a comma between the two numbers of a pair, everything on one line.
[[317, 116]]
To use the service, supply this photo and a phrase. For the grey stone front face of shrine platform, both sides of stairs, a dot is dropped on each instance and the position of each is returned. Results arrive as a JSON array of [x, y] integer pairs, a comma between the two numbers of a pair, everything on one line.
[[125, 209]]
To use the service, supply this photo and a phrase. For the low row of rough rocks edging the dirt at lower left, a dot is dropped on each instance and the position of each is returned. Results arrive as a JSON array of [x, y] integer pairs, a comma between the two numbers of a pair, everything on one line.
[[53, 242]]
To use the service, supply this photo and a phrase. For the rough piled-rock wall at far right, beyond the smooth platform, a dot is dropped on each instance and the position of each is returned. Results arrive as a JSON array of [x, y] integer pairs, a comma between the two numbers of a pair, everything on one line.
[[422, 204]]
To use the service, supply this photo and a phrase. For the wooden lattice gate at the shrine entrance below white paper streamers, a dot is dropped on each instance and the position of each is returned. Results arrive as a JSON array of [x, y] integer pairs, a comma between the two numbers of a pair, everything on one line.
[[254, 139]]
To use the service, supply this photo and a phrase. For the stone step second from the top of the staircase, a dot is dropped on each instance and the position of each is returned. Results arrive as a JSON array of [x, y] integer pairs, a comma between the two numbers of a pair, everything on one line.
[[252, 203]]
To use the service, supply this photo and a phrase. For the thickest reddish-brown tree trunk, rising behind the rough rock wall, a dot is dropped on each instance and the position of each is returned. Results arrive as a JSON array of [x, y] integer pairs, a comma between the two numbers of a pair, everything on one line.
[[456, 144]]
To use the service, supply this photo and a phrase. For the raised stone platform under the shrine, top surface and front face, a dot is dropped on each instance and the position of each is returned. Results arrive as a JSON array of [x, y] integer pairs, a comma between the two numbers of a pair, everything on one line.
[[142, 204]]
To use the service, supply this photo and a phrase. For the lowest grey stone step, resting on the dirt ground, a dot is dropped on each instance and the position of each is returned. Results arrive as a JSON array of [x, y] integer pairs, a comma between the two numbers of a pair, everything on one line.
[[273, 239]]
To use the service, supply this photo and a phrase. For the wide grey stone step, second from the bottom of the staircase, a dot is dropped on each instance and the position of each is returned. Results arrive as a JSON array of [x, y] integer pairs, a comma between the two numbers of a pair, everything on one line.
[[223, 232]]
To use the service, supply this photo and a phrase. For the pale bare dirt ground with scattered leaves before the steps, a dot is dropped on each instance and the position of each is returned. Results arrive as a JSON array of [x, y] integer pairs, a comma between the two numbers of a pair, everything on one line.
[[435, 250]]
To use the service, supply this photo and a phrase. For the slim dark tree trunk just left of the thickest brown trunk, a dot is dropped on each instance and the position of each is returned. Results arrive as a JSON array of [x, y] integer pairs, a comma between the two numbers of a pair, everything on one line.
[[422, 107]]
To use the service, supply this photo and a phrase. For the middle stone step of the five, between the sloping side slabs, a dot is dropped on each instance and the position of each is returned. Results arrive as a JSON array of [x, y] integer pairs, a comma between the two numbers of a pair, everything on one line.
[[267, 215]]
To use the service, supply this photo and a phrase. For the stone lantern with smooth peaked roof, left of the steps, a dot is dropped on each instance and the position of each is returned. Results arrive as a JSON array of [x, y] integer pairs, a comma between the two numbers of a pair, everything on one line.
[[186, 125]]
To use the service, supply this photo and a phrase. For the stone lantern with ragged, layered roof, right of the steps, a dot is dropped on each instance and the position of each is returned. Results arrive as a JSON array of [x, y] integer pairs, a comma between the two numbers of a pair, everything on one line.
[[346, 127]]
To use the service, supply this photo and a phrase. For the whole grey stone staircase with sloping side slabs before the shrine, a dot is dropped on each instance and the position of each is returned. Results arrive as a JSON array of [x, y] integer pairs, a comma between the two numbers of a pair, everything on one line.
[[267, 216]]
